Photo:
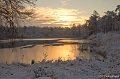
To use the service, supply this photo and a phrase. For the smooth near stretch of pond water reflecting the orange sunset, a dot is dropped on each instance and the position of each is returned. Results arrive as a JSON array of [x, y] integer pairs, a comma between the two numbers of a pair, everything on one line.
[[40, 52]]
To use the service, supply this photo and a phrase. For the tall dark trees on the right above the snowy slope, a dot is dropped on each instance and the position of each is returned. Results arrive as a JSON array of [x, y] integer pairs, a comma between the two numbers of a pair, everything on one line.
[[108, 22]]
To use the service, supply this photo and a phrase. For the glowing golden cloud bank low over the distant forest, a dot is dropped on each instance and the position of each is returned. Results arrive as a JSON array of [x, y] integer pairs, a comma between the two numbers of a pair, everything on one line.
[[57, 16]]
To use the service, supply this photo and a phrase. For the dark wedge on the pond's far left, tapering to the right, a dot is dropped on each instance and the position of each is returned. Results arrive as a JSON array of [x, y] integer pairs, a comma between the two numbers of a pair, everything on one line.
[[19, 43]]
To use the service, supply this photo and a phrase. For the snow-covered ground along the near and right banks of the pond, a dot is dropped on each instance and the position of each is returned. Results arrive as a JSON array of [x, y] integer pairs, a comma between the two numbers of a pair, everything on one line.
[[107, 45]]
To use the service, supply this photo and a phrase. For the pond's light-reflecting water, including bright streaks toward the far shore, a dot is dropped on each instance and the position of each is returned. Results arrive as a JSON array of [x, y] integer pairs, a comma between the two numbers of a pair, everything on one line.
[[65, 49]]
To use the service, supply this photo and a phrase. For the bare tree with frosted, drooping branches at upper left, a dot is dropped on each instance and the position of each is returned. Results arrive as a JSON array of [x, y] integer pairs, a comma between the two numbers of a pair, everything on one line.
[[11, 11]]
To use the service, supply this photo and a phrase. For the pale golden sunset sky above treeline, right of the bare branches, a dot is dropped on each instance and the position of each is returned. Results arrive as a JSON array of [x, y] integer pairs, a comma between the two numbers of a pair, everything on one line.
[[66, 12]]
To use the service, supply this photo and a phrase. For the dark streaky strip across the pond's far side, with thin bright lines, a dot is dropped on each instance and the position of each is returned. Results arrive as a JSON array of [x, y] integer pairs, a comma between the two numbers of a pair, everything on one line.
[[33, 42]]
